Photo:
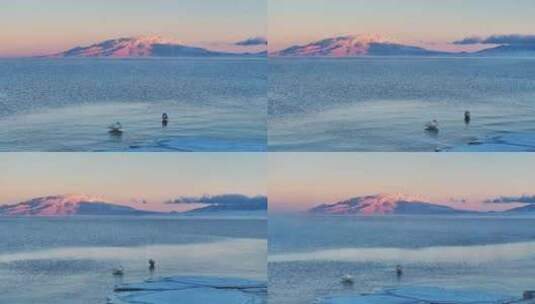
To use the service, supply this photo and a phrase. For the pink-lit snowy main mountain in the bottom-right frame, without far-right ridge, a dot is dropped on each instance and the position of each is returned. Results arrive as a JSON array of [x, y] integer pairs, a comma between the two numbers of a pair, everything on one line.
[[383, 204]]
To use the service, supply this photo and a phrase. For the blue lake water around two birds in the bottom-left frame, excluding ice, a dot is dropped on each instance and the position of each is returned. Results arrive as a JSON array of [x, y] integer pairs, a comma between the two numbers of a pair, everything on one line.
[[69, 260]]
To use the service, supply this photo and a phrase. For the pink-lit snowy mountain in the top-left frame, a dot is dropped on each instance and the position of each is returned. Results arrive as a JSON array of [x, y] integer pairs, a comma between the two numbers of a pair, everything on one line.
[[143, 46]]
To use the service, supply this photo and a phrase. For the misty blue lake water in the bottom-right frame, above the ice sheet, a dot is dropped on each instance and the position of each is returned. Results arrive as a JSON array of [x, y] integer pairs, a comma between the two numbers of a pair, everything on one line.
[[309, 255]]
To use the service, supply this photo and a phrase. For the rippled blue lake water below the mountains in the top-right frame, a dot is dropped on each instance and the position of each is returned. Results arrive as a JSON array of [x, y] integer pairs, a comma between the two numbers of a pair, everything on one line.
[[383, 104]]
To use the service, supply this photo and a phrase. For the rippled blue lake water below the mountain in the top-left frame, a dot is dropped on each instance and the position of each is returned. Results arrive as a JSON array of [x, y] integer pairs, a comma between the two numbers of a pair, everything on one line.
[[67, 104]]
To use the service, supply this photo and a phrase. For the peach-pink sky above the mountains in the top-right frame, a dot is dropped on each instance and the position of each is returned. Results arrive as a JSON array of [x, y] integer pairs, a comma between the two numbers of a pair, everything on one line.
[[428, 23]]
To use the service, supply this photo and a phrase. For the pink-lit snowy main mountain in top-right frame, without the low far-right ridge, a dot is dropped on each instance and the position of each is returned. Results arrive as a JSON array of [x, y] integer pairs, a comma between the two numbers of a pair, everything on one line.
[[355, 45]]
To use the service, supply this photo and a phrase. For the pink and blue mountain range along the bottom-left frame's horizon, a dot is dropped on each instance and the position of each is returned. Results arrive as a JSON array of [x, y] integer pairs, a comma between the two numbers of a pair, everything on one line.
[[70, 205]]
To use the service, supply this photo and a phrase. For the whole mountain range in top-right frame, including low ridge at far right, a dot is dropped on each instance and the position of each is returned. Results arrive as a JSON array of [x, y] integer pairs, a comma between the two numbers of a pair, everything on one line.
[[375, 45]]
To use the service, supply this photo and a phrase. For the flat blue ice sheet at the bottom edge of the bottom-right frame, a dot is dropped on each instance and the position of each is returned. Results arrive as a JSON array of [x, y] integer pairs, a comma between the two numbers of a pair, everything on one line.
[[421, 295]]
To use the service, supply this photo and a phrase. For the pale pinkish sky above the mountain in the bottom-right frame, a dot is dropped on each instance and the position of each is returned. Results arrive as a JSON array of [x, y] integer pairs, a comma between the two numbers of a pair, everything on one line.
[[299, 181]]
